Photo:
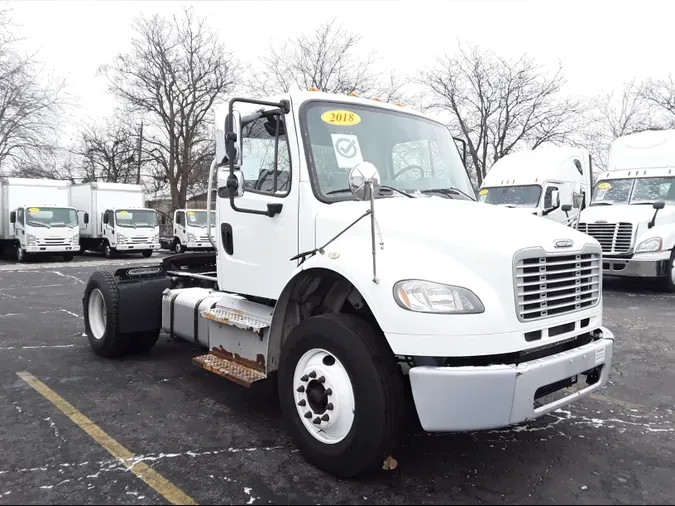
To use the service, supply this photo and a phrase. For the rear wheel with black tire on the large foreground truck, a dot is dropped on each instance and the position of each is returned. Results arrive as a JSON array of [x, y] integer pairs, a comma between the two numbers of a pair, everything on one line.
[[101, 316]]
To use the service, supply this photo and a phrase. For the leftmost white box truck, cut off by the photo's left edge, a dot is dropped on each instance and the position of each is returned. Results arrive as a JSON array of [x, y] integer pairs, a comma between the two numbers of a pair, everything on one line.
[[36, 218]]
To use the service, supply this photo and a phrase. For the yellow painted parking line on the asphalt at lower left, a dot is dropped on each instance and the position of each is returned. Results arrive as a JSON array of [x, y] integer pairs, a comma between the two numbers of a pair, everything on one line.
[[151, 477]]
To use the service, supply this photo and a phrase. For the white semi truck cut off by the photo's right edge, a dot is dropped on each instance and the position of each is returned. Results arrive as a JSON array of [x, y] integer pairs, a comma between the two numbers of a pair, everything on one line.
[[632, 212]]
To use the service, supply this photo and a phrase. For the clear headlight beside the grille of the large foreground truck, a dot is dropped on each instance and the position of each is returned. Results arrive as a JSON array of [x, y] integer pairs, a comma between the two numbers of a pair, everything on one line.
[[428, 297]]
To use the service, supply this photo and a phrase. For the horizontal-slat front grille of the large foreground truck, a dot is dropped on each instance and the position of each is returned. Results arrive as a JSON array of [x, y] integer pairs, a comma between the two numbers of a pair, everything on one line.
[[554, 285]]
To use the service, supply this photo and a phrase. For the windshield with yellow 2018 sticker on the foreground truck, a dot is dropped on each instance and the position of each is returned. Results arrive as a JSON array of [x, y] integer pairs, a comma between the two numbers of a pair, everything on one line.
[[411, 153]]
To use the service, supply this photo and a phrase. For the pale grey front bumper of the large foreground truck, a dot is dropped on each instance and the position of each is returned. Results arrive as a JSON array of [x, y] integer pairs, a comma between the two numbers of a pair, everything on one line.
[[450, 399]]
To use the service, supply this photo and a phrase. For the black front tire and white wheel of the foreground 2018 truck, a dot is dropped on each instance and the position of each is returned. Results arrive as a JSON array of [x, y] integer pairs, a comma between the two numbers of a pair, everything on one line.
[[341, 393]]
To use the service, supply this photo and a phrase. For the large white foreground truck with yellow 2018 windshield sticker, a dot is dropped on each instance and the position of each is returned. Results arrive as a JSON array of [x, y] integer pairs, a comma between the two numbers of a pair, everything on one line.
[[353, 264]]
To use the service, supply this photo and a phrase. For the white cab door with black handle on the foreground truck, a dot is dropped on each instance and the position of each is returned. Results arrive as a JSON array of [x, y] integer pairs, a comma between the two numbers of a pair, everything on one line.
[[255, 249]]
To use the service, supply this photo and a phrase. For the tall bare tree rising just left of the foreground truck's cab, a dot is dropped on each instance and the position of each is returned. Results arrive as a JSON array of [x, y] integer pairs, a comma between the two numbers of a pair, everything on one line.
[[174, 73]]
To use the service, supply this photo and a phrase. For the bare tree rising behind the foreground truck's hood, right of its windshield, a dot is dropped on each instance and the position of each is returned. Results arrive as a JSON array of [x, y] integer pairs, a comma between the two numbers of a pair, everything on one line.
[[498, 105]]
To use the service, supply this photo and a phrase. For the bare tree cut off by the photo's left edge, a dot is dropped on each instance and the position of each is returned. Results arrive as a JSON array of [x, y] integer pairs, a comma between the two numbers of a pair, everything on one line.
[[29, 105]]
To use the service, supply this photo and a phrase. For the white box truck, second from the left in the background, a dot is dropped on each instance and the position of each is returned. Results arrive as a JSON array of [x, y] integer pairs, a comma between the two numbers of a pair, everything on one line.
[[119, 220]]
